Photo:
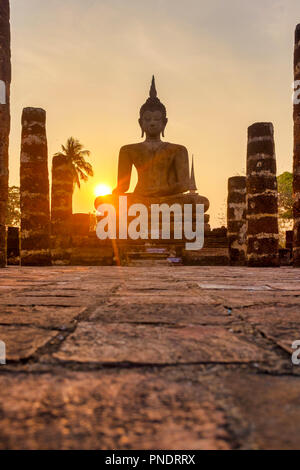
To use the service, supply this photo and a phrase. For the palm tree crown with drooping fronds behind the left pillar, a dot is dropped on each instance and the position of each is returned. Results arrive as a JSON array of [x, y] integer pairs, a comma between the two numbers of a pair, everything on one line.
[[75, 154]]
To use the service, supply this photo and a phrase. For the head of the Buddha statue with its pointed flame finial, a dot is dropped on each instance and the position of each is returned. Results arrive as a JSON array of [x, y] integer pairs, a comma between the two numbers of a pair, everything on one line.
[[153, 115]]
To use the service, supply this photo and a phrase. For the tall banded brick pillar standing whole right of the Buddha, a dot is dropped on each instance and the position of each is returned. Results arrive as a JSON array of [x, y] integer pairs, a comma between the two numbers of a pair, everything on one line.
[[262, 197]]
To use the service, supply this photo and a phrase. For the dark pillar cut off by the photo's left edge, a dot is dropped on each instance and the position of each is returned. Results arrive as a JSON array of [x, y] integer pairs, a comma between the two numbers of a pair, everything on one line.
[[5, 79]]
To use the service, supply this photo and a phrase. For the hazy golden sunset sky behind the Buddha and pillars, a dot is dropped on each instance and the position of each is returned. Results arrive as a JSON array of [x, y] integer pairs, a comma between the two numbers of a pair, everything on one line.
[[219, 67]]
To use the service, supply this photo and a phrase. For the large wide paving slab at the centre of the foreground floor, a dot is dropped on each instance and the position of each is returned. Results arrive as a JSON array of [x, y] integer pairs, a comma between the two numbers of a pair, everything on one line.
[[148, 344]]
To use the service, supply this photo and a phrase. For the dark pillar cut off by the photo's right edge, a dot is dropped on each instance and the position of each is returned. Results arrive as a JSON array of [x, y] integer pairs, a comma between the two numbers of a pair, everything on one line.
[[296, 164]]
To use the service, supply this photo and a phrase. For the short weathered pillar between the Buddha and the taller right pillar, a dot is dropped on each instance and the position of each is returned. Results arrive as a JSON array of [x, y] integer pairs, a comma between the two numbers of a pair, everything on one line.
[[236, 220]]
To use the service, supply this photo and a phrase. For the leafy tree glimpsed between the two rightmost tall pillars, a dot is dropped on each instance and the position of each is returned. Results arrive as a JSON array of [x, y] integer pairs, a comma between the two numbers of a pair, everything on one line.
[[285, 204]]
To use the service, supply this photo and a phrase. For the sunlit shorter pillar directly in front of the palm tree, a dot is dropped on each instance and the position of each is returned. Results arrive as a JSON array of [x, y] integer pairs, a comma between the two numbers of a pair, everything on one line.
[[61, 211]]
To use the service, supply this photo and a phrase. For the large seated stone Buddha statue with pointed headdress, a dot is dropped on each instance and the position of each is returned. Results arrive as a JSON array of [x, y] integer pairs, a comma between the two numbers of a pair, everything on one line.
[[162, 167]]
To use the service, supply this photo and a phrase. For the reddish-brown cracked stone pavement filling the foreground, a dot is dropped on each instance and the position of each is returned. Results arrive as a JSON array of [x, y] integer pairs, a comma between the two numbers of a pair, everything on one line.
[[149, 358]]
